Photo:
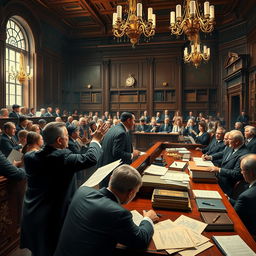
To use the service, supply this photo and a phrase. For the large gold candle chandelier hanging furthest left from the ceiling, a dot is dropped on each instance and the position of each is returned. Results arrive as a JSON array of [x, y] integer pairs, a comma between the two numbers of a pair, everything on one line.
[[134, 25]]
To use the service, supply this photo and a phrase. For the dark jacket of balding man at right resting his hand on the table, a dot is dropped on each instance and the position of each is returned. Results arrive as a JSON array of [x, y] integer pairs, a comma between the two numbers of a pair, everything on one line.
[[230, 169]]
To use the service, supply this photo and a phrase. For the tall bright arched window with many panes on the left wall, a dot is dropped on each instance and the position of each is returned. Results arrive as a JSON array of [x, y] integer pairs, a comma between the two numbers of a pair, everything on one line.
[[17, 52]]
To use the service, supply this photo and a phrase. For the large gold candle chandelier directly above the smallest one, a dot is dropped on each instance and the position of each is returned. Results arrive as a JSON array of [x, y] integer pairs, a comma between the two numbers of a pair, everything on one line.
[[192, 21]]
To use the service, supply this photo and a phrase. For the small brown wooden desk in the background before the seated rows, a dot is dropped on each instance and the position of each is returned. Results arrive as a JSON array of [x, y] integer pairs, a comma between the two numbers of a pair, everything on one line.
[[143, 140]]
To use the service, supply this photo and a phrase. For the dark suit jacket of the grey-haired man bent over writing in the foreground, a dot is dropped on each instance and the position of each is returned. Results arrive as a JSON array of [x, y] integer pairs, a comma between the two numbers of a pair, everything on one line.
[[95, 223]]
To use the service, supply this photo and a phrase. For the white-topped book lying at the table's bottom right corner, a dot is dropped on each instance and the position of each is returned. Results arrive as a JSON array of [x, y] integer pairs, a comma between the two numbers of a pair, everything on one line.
[[233, 246]]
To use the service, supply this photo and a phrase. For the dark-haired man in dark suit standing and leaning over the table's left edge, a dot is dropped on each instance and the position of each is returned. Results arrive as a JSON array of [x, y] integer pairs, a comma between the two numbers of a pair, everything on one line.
[[117, 143]]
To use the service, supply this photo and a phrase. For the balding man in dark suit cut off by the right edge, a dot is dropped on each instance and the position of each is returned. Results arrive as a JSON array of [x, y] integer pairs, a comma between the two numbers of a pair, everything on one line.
[[245, 205]]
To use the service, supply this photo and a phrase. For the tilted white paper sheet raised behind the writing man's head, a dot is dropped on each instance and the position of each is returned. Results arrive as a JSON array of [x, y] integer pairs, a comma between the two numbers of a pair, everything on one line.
[[101, 173]]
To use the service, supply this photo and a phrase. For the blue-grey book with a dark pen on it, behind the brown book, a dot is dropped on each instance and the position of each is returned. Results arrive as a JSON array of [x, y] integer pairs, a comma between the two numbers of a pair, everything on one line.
[[210, 205]]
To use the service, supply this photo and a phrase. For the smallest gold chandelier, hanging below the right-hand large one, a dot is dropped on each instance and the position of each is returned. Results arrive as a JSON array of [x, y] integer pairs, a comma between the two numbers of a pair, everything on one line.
[[196, 56]]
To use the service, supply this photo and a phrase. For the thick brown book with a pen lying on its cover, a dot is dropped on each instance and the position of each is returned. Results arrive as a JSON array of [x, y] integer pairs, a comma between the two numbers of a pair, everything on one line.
[[217, 221]]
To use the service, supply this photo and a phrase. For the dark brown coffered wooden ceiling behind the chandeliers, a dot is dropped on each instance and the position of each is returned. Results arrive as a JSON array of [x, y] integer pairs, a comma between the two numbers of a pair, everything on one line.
[[93, 18]]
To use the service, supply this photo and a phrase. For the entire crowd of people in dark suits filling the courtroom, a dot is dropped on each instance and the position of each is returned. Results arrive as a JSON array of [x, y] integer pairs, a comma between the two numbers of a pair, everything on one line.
[[63, 149]]
